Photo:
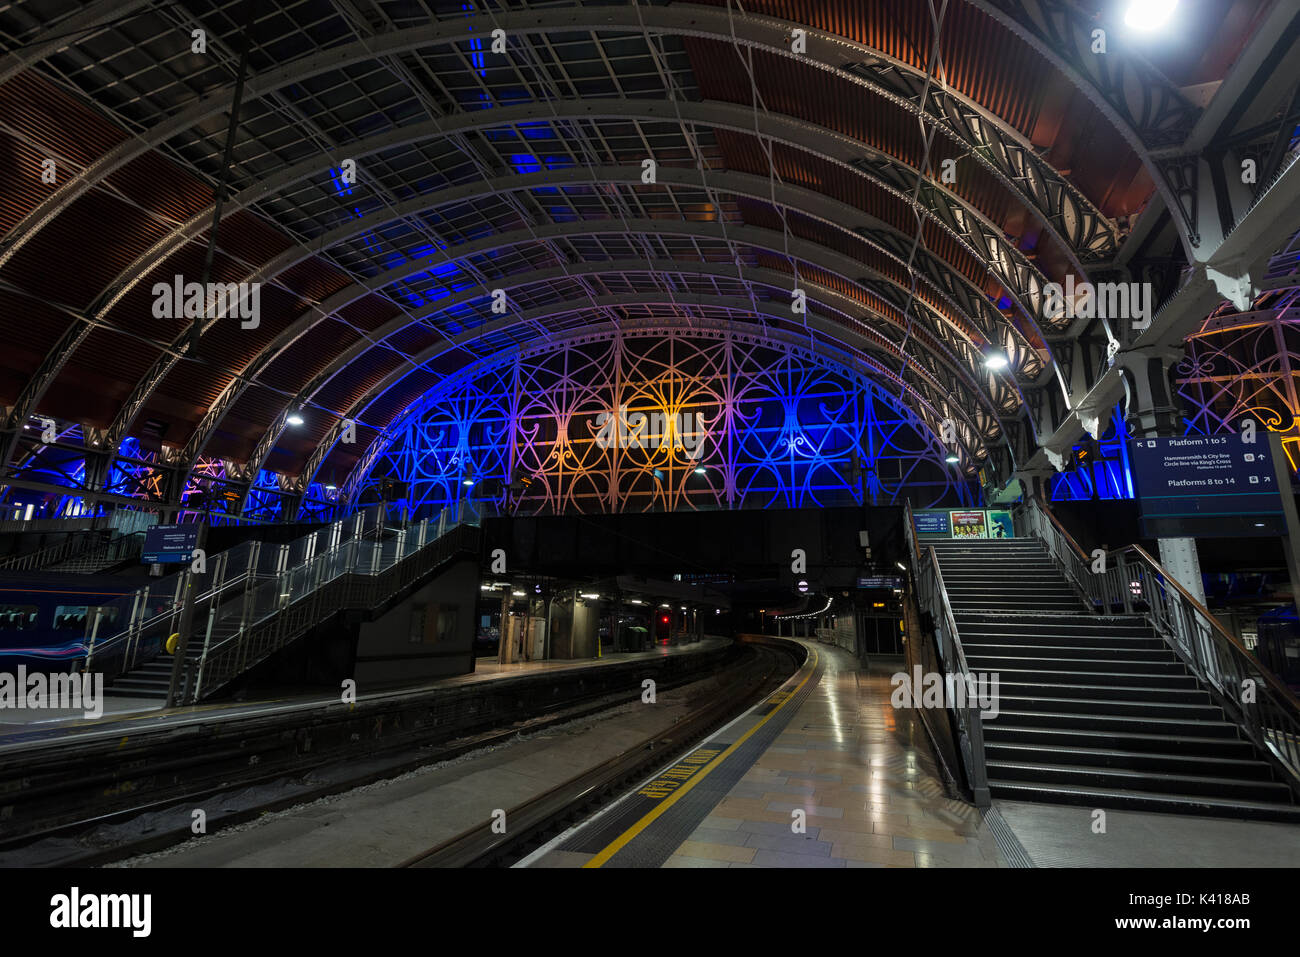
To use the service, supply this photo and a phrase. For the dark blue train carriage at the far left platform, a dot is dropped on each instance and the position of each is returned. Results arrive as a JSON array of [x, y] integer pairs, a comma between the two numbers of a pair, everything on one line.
[[46, 620]]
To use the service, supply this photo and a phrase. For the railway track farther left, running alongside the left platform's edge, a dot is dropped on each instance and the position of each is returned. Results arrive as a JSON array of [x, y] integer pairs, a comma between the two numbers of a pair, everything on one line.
[[202, 777]]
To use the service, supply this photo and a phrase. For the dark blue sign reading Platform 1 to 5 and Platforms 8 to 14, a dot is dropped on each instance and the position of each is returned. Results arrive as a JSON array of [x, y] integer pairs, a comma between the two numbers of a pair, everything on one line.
[[1207, 487]]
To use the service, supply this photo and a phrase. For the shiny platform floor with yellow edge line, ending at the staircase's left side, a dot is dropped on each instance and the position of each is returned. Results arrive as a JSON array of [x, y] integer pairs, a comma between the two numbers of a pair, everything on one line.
[[847, 781]]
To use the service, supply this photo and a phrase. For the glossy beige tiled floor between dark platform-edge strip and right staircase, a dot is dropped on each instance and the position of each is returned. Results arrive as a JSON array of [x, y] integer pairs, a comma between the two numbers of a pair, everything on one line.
[[863, 774]]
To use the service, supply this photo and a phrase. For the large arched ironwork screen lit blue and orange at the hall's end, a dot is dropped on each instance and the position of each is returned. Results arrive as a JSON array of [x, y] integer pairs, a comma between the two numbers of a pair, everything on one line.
[[782, 427]]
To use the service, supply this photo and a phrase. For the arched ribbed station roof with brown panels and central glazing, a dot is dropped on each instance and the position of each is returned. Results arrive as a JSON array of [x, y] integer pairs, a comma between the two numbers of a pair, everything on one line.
[[918, 170]]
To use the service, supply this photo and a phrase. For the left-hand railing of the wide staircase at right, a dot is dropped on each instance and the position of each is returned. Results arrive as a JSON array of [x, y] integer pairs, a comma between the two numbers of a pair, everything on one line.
[[933, 599]]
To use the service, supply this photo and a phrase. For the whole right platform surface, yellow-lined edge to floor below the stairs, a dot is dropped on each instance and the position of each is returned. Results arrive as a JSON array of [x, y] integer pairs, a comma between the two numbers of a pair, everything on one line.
[[826, 773]]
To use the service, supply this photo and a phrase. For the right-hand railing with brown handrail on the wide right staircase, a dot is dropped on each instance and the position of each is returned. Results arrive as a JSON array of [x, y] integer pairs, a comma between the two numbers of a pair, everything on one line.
[[1133, 583]]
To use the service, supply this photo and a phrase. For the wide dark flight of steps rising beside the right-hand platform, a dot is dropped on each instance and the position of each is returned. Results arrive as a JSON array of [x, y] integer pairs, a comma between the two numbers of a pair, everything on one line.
[[1095, 711]]
